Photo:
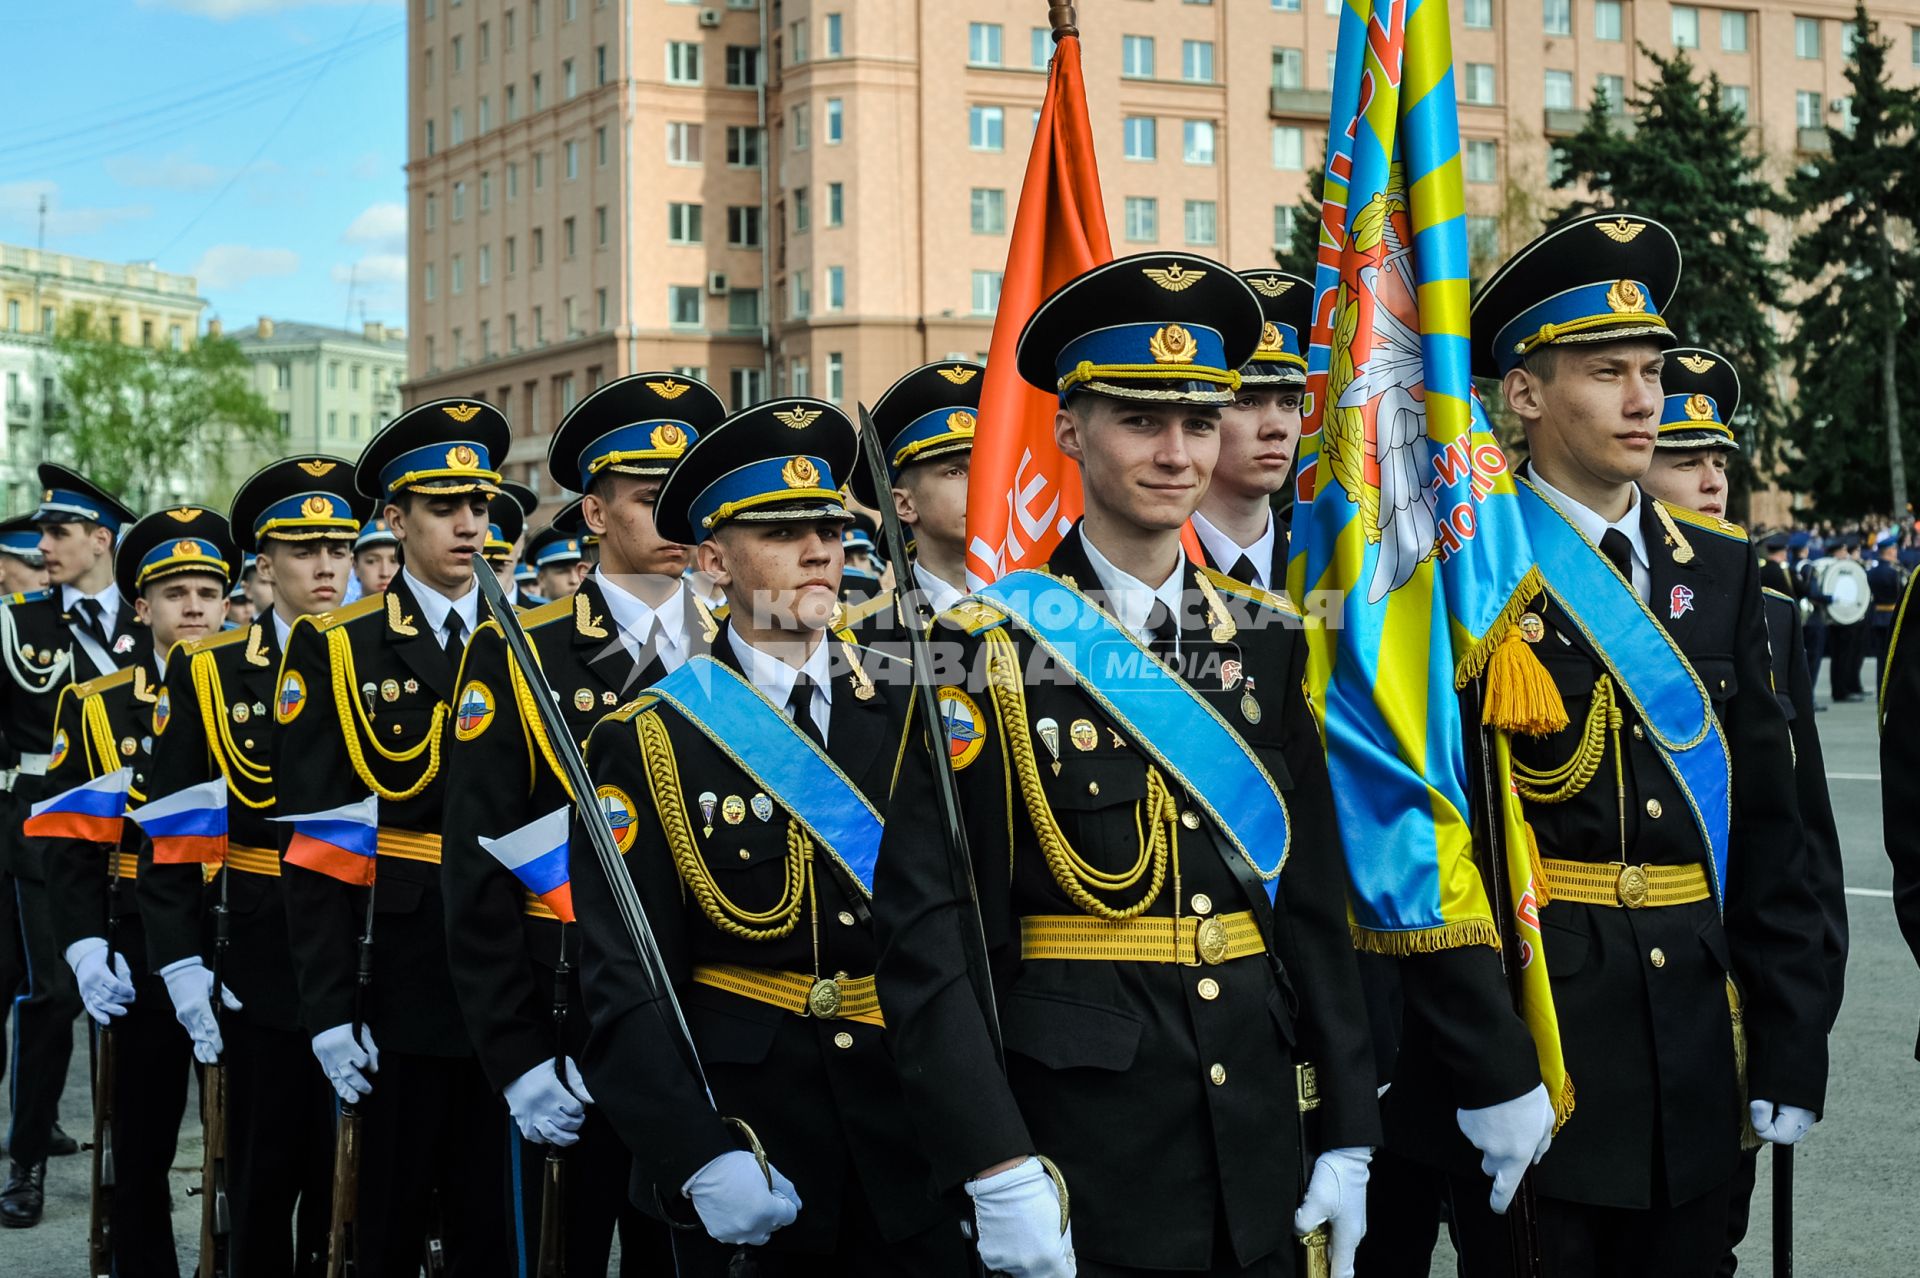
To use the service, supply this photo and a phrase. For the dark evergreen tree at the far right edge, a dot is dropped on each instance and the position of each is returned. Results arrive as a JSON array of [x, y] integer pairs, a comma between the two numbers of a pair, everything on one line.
[[1856, 256]]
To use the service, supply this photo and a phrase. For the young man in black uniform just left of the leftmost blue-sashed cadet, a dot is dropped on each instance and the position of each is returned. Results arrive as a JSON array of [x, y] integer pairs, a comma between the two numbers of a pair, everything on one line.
[[627, 627]]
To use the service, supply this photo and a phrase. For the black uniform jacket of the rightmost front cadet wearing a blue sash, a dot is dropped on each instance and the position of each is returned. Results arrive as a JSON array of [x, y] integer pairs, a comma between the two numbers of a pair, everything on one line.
[[1641, 995]]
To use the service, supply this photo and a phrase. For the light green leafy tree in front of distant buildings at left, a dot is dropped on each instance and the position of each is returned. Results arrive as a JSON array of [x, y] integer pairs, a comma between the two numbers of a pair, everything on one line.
[[156, 425]]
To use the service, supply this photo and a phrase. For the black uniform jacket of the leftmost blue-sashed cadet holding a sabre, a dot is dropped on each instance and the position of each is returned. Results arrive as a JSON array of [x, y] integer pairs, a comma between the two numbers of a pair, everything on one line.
[[823, 1095]]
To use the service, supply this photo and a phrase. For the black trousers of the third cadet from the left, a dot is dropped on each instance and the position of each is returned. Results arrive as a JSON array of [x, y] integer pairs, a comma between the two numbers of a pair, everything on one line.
[[279, 1150]]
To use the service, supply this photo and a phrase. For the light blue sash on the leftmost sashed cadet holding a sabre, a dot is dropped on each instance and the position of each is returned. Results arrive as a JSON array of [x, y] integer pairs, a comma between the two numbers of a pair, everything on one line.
[[780, 759]]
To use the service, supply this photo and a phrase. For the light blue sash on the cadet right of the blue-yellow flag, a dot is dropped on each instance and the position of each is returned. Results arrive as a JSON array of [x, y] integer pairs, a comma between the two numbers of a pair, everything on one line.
[[1662, 688]]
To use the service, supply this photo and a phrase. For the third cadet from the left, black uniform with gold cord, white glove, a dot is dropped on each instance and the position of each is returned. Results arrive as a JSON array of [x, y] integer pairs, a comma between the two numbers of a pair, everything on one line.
[[299, 521]]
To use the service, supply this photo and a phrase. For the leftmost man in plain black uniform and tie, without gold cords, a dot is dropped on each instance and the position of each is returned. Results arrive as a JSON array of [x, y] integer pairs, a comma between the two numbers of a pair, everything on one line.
[[82, 628]]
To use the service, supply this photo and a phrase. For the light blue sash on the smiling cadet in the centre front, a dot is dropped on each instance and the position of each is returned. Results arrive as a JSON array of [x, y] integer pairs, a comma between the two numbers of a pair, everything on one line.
[[1161, 713]]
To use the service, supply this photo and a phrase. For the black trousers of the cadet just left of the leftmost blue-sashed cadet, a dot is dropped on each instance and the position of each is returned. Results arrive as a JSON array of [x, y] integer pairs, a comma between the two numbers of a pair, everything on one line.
[[596, 1206]]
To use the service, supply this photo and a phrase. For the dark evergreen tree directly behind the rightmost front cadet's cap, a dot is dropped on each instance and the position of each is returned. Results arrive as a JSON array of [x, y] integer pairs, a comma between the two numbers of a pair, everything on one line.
[[1689, 164]]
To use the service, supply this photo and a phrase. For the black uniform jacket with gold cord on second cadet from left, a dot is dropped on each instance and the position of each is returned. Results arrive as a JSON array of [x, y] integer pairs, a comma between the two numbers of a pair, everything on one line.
[[108, 724]]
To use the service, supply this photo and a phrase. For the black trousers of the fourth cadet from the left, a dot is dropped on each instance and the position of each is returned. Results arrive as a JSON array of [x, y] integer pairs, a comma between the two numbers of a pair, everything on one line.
[[435, 1152]]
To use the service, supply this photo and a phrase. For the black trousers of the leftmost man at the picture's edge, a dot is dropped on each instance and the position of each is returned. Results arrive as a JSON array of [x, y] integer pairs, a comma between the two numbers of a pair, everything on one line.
[[43, 1024]]
